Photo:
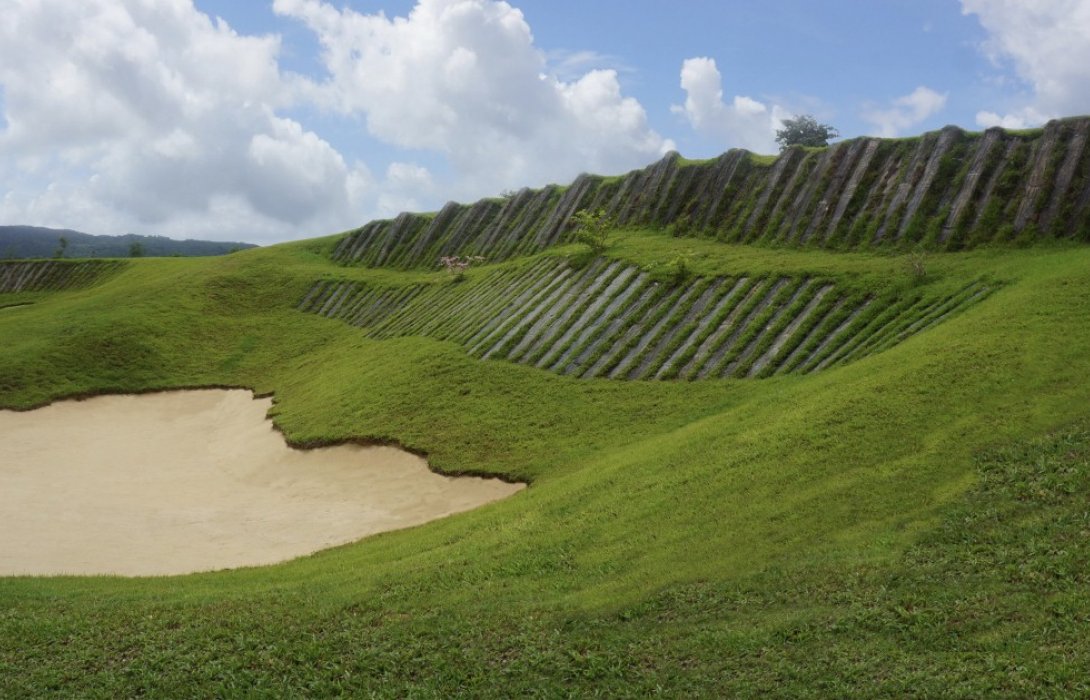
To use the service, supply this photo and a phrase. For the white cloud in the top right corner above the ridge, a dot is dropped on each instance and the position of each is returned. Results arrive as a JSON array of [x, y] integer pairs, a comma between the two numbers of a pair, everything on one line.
[[1048, 45]]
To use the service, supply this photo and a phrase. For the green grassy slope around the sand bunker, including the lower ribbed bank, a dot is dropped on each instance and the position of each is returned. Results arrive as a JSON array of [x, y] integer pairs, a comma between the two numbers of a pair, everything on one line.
[[909, 520]]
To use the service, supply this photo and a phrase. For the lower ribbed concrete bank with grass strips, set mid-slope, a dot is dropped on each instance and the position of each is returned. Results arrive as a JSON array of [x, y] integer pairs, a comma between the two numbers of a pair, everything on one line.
[[611, 320]]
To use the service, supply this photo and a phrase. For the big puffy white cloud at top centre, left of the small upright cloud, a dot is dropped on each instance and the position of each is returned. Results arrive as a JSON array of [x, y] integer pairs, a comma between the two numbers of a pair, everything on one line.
[[465, 79]]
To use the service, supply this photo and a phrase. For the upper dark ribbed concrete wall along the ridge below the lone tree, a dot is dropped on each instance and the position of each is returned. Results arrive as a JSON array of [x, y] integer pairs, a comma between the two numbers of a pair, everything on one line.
[[944, 190]]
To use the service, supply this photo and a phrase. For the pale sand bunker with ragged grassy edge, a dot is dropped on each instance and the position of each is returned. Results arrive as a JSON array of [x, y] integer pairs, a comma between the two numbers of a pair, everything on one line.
[[195, 481]]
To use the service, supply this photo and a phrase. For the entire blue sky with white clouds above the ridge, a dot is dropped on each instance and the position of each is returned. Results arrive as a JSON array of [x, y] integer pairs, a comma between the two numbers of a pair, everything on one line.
[[274, 120]]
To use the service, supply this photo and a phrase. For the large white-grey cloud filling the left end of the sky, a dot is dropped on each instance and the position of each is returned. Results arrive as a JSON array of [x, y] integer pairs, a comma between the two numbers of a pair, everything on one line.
[[150, 116]]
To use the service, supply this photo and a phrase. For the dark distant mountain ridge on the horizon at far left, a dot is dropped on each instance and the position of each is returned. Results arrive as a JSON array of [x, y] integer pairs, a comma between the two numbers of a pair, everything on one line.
[[33, 242]]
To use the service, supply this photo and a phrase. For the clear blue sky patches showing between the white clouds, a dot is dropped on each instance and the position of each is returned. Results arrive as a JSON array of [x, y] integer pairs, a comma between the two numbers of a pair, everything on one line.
[[835, 59]]
